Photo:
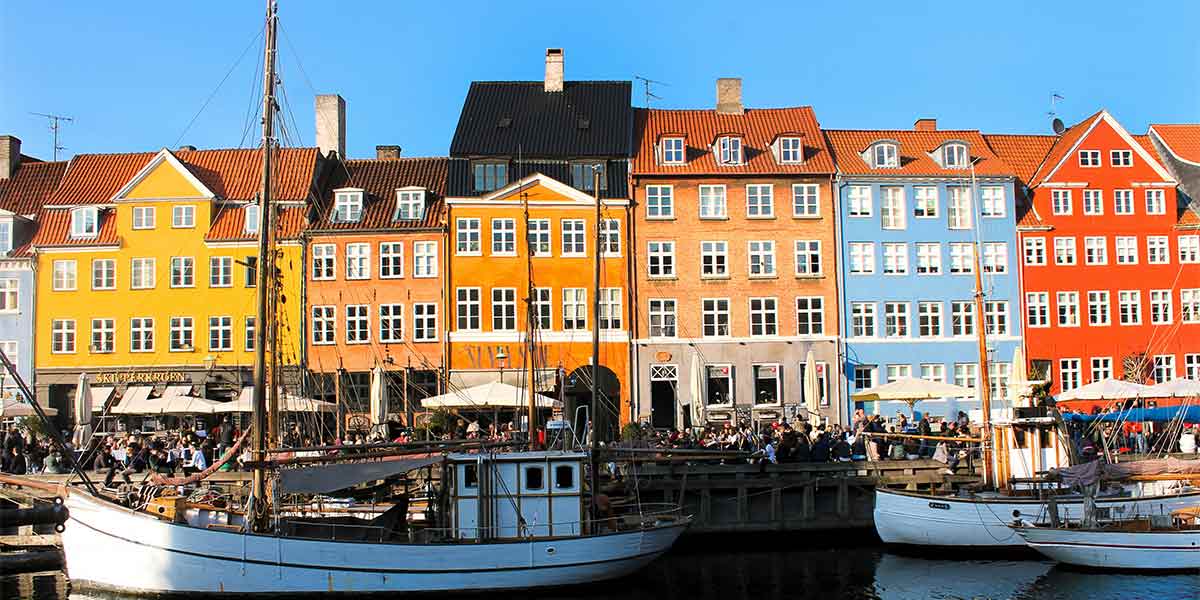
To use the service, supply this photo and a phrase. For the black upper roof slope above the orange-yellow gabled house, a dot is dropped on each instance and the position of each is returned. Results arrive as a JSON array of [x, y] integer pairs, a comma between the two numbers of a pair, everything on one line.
[[512, 118]]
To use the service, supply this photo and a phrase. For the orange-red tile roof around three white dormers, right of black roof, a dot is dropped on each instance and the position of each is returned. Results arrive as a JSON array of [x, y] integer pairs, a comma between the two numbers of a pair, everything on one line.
[[759, 129]]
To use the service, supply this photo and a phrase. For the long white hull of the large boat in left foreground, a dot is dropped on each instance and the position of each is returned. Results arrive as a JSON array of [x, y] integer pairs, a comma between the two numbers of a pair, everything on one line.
[[112, 548]]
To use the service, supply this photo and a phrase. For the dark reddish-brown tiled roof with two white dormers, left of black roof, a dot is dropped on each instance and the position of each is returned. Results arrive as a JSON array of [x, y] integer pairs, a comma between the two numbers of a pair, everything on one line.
[[380, 179]]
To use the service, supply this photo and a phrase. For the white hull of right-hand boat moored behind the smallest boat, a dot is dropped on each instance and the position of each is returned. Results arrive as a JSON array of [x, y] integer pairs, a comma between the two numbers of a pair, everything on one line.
[[982, 523]]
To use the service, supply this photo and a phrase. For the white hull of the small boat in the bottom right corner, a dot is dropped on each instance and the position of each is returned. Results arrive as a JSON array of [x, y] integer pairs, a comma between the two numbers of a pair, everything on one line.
[[1117, 550]]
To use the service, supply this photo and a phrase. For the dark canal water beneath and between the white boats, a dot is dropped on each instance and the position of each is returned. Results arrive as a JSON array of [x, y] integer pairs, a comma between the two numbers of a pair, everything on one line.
[[806, 568]]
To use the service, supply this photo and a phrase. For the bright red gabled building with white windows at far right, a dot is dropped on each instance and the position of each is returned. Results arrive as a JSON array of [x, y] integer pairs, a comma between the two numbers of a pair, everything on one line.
[[1111, 268]]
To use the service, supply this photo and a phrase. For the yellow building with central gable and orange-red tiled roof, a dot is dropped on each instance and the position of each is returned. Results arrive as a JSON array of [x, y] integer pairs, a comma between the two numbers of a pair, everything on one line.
[[147, 273]]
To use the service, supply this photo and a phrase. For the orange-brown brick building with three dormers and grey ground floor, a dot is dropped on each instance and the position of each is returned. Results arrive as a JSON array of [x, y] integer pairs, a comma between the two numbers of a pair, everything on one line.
[[735, 265]]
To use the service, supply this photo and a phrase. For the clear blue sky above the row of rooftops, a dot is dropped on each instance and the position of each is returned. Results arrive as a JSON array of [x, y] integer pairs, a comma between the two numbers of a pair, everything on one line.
[[135, 74]]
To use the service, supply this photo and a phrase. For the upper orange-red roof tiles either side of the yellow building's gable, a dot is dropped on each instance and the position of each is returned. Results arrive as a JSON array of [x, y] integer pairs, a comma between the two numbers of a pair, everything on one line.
[[233, 175]]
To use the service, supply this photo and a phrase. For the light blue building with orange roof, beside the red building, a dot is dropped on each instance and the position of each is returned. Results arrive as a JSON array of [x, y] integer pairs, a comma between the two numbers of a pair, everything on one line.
[[911, 207]]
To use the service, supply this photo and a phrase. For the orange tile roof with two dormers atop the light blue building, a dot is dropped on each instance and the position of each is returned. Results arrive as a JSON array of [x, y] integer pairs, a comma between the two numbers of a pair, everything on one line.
[[915, 152]]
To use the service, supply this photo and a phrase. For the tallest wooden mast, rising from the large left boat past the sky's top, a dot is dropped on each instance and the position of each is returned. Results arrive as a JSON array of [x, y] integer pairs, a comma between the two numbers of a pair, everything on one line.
[[259, 520]]
